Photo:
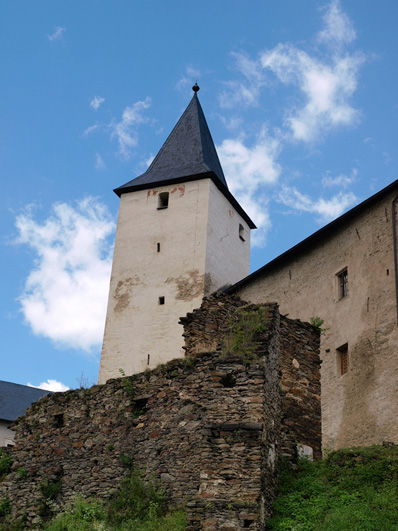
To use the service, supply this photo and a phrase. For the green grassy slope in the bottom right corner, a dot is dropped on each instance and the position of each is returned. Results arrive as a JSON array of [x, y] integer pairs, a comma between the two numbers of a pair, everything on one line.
[[350, 490]]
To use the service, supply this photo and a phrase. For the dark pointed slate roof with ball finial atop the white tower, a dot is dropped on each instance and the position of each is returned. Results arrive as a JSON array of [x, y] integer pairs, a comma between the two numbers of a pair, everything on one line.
[[188, 154]]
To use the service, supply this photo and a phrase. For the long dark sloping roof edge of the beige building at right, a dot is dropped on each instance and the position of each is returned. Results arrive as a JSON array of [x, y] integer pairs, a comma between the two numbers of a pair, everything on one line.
[[316, 238]]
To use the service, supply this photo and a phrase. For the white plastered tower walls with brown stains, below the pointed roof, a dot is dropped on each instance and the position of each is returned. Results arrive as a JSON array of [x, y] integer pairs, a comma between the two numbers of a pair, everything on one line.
[[196, 256]]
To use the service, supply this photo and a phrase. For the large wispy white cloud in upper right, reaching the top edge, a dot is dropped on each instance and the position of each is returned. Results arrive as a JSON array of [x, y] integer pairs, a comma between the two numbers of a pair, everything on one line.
[[326, 82]]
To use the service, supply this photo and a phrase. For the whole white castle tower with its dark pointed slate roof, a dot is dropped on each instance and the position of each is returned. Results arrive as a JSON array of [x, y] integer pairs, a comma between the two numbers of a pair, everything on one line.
[[180, 236]]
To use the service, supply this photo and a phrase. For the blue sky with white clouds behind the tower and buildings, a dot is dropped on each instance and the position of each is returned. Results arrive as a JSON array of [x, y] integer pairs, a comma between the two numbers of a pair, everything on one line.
[[300, 98]]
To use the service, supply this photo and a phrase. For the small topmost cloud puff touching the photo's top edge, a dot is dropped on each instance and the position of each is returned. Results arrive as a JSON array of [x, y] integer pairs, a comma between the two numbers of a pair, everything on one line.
[[338, 28]]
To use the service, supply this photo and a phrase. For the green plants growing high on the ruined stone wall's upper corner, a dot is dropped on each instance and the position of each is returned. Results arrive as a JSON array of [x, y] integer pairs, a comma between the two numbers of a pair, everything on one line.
[[245, 326]]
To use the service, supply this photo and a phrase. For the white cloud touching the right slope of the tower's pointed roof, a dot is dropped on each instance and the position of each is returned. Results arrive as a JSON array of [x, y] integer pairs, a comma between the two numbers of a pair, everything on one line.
[[248, 169]]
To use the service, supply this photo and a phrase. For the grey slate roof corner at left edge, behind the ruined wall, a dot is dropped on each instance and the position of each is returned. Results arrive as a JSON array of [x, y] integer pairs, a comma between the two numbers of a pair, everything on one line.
[[15, 399]]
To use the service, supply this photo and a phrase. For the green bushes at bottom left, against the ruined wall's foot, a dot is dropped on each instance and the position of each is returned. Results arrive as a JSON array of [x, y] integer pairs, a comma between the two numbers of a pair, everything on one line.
[[137, 505]]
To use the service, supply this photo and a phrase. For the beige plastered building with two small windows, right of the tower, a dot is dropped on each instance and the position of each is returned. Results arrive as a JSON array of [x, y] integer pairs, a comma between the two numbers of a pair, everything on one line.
[[346, 274]]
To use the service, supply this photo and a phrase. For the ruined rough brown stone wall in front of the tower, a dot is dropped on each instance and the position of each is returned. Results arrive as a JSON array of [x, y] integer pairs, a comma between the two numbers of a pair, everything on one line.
[[208, 427]]
